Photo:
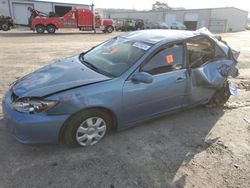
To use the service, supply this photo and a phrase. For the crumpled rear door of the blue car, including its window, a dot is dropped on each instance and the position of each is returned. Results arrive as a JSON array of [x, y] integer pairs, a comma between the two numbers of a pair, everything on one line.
[[206, 61]]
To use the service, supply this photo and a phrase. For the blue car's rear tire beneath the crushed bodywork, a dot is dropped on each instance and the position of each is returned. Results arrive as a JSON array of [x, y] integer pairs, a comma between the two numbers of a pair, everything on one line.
[[221, 96]]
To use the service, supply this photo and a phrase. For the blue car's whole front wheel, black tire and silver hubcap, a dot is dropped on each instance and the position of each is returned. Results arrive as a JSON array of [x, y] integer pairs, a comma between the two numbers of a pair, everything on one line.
[[86, 128]]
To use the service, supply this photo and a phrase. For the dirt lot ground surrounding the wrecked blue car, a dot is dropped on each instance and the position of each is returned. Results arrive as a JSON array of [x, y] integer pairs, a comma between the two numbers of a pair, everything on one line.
[[202, 147]]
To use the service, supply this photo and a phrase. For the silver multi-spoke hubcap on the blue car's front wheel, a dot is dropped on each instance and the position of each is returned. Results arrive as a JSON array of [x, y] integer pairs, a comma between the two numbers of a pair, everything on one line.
[[91, 131]]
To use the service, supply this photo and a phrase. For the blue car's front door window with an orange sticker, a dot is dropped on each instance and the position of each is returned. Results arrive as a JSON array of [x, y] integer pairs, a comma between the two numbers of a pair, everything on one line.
[[166, 60]]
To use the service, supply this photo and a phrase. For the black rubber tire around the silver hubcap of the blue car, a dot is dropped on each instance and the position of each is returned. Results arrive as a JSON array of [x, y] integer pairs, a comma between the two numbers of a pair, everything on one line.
[[68, 135]]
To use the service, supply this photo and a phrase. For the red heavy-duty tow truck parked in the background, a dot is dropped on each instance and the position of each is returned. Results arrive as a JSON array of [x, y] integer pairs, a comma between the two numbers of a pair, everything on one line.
[[83, 19]]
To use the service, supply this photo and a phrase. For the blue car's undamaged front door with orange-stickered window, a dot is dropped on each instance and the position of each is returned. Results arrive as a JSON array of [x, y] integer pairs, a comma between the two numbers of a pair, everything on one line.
[[165, 93]]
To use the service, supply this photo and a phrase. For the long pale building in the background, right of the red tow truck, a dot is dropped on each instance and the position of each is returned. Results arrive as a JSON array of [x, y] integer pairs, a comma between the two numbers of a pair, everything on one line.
[[215, 19]]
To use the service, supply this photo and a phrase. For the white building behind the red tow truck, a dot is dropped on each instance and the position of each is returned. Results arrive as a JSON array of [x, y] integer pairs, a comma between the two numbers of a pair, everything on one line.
[[18, 9]]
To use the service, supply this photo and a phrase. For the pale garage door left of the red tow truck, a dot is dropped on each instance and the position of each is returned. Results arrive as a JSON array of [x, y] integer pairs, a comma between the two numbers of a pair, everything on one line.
[[21, 13]]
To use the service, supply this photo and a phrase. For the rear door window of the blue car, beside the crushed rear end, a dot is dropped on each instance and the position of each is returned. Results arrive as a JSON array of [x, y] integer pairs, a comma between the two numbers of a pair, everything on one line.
[[201, 50]]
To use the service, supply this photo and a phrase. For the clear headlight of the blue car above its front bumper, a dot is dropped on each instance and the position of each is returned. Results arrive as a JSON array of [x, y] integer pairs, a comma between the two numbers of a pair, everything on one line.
[[31, 106]]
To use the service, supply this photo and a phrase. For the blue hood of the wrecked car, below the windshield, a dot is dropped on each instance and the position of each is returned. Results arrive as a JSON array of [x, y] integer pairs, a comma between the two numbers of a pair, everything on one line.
[[56, 77]]
